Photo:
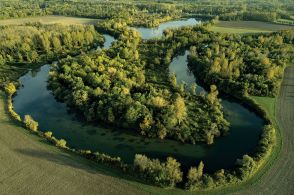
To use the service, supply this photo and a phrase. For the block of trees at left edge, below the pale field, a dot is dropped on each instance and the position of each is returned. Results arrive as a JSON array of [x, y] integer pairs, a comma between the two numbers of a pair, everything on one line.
[[33, 43]]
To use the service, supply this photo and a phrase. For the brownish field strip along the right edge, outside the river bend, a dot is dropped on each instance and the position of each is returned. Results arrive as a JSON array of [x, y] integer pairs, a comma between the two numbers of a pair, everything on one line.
[[280, 178]]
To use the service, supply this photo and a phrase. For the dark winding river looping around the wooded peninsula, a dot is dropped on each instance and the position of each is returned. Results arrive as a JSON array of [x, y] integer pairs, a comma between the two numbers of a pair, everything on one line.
[[35, 99]]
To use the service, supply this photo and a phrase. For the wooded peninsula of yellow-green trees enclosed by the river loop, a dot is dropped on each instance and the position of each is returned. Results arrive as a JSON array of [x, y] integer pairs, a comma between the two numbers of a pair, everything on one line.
[[112, 86]]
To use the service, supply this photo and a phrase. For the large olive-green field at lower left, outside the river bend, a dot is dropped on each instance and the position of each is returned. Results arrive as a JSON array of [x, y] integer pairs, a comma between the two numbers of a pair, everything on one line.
[[29, 166]]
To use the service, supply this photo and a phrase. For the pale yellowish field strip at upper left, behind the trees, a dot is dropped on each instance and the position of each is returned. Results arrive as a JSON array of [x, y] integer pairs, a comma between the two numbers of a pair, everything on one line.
[[50, 20]]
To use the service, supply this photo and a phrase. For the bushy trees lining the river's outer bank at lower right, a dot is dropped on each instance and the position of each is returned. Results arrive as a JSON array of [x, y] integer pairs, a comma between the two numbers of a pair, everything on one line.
[[168, 173]]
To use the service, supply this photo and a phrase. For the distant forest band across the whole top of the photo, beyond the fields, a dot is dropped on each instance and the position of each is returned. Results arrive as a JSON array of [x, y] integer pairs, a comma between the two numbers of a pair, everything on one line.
[[151, 13]]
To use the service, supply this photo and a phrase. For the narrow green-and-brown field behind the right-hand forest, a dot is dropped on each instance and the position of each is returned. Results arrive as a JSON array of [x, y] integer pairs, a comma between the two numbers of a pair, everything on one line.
[[247, 27]]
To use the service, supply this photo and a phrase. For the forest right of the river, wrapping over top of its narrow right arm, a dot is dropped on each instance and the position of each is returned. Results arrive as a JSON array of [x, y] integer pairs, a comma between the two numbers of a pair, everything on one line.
[[238, 64]]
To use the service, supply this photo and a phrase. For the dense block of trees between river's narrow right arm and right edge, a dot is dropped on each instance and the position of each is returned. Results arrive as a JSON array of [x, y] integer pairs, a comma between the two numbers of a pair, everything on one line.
[[249, 64]]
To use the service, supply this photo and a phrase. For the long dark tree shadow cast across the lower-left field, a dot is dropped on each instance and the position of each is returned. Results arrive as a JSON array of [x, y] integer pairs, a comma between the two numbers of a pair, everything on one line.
[[66, 158]]
